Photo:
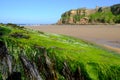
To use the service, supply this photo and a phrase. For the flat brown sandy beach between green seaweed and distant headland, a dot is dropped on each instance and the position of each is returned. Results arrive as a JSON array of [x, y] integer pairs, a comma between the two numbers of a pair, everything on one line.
[[106, 35]]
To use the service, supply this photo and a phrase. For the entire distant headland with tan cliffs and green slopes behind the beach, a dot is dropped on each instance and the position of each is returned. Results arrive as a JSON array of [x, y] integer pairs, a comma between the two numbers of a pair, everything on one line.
[[88, 16]]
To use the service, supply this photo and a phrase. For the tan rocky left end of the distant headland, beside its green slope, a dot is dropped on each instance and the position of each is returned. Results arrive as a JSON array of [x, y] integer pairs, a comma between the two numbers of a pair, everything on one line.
[[70, 16]]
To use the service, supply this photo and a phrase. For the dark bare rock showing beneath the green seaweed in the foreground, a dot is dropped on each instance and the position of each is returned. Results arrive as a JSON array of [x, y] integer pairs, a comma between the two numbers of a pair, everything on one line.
[[41, 69]]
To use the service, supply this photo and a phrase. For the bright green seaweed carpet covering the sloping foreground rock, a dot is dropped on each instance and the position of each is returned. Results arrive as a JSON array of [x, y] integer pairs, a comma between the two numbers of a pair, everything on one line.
[[95, 62]]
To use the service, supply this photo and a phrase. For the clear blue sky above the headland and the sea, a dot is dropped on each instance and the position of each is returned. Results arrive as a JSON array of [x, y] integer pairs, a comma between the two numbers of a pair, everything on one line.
[[43, 11]]
